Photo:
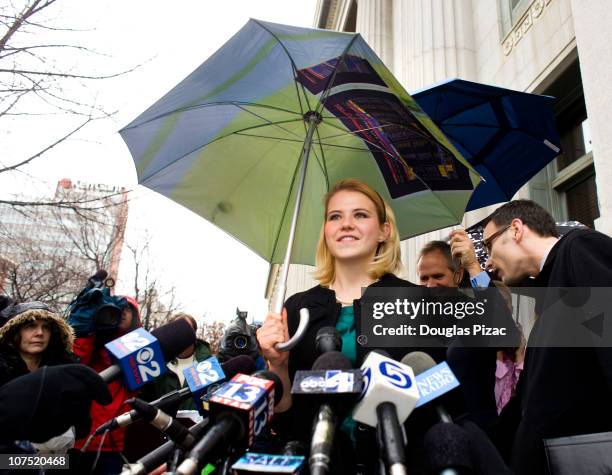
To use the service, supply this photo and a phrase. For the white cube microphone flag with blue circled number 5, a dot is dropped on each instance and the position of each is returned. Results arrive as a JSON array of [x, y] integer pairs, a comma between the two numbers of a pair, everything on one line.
[[386, 380]]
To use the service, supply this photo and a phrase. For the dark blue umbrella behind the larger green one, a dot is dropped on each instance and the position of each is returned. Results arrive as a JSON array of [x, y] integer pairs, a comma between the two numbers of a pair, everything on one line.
[[507, 136]]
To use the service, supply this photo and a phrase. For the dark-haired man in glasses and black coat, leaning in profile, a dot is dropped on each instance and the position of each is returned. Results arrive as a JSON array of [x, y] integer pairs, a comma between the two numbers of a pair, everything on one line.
[[563, 391]]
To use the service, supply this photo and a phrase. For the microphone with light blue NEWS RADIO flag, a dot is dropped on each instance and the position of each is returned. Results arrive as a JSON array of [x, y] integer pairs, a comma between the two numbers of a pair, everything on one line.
[[433, 380]]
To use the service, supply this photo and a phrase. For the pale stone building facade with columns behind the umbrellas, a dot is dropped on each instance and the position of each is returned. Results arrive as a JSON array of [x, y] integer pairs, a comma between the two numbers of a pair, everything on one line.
[[558, 47]]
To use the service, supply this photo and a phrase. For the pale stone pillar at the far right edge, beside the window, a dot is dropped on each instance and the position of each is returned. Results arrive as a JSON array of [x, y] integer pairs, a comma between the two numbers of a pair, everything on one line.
[[592, 20]]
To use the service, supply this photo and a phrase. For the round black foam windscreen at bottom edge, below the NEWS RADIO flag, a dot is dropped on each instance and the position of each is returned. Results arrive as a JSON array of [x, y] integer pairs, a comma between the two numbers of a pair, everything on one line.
[[447, 446]]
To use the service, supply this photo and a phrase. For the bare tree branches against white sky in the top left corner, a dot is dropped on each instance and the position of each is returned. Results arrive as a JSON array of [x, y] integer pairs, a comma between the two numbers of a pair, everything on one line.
[[35, 78]]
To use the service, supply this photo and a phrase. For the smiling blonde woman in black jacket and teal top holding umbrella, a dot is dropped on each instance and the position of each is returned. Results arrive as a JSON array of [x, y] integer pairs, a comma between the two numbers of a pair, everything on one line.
[[358, 247]]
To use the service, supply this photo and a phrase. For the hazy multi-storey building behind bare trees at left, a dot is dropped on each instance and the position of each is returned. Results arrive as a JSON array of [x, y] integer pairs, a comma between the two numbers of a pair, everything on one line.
[[48, 253]]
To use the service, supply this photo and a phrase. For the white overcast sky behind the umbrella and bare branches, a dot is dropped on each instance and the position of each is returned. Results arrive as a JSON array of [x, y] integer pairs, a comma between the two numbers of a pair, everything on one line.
[[212, 272]]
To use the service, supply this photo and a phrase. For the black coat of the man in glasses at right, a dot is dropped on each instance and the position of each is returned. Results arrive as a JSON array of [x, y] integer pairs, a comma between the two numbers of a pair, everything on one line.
[[565, 391]]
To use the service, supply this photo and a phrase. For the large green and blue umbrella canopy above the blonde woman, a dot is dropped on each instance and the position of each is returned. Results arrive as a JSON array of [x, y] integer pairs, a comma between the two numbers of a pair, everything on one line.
[[228, 142]]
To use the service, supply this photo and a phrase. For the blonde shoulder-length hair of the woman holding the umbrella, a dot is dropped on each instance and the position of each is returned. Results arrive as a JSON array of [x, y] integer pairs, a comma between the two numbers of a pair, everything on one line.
[[388, 255]]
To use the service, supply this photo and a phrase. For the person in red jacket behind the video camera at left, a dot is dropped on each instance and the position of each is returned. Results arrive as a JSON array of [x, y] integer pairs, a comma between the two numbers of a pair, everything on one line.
[[90, 349]]
